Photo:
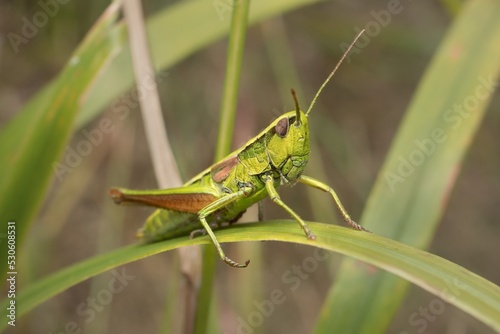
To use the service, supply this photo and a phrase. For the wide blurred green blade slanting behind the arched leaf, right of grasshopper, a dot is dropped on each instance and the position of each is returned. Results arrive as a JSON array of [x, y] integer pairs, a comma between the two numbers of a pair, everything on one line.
[[409, 198]]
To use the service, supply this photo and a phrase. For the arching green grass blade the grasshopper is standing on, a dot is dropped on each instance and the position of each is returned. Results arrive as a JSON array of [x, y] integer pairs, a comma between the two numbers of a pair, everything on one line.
[[469, 292]]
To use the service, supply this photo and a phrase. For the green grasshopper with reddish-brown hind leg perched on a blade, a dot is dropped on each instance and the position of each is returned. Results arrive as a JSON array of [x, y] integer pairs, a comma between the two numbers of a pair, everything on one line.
[[221, 193]]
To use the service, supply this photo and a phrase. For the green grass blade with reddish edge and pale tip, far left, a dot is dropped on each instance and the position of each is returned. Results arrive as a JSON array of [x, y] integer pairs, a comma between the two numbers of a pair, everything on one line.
[[30, 146]]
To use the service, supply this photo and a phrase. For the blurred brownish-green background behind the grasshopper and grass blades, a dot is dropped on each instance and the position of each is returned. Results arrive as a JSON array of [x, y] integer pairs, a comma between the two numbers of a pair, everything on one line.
[[353, 124]]
